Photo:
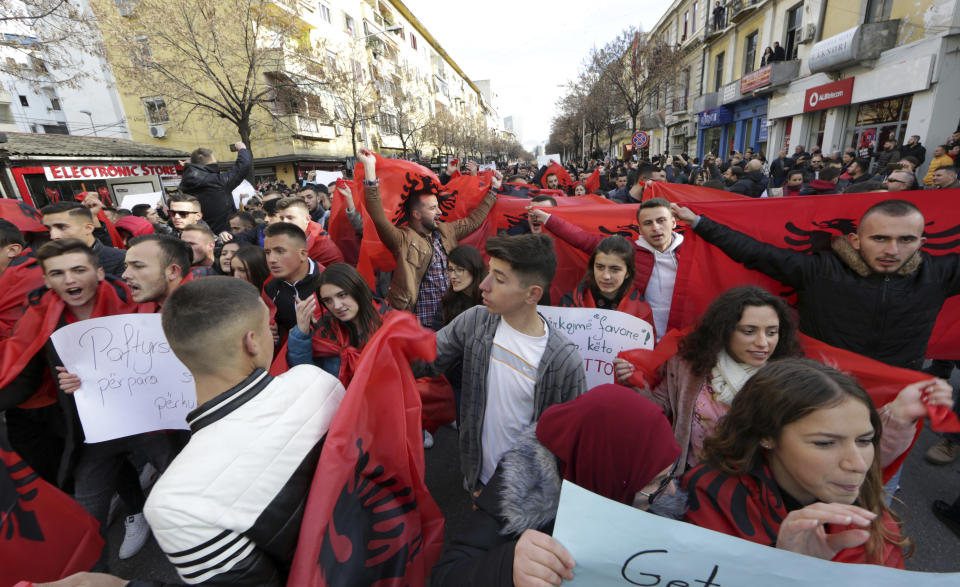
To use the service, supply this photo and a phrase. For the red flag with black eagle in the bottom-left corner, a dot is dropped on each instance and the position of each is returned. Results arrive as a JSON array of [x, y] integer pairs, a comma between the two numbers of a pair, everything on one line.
[[45, 535]]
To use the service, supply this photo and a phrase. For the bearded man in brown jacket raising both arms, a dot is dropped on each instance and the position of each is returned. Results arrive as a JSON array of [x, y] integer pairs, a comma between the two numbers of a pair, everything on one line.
[[420, 248]]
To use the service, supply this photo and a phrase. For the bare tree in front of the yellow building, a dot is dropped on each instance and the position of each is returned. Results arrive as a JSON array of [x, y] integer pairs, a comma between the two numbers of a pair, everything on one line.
[[230, 59]]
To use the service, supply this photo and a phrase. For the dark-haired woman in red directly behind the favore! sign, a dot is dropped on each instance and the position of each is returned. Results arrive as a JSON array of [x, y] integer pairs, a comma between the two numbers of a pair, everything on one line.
[[608, 283]]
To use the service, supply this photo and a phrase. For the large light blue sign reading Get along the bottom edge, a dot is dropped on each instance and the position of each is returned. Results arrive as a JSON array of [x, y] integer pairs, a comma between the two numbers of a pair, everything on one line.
[[617, 545]]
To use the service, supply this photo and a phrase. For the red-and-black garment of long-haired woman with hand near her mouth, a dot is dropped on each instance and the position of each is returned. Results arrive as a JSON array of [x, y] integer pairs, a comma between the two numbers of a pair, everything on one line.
[[751, 507]]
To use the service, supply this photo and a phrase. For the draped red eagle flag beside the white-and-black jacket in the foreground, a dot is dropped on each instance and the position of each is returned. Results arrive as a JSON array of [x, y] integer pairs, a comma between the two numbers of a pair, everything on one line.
[[369, 518]]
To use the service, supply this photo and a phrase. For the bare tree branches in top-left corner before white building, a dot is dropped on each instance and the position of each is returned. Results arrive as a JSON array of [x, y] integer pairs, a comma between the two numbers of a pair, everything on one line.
[[46, 41]]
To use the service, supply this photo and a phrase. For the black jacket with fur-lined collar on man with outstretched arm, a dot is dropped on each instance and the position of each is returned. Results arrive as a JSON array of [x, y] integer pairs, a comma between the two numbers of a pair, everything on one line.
[[843, 303]]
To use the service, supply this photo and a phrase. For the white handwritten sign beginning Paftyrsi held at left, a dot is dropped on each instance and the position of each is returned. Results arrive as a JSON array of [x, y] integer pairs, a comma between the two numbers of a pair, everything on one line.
[[131, 382]]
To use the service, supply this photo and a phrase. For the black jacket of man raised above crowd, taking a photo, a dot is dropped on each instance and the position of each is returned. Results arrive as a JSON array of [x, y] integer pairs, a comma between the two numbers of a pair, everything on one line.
[[213, 188]]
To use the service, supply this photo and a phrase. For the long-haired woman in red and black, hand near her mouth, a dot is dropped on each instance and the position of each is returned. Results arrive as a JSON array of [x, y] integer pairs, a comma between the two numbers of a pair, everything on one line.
[[795, 465]]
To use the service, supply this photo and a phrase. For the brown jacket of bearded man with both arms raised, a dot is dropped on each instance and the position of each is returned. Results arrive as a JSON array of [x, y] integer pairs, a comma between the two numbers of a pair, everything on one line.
[[412, 250]]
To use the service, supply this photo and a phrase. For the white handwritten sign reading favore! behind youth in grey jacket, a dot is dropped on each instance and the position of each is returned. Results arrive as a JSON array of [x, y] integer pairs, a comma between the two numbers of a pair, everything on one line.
[[599, 335]]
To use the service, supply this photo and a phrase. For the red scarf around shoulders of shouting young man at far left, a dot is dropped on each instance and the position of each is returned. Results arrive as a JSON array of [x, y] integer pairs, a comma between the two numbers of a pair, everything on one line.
[[41, 319]]
